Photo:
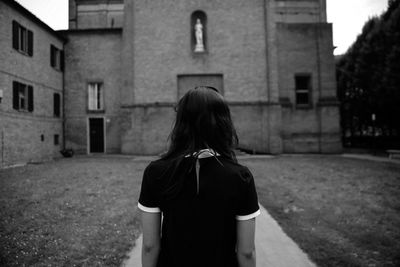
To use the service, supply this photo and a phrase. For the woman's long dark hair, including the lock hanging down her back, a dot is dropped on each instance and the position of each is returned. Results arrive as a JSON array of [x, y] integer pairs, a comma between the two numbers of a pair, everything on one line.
[[203, 120]]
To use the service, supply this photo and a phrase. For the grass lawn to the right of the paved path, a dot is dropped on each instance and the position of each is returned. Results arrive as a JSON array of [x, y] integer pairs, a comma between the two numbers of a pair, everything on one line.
[[341, 212]]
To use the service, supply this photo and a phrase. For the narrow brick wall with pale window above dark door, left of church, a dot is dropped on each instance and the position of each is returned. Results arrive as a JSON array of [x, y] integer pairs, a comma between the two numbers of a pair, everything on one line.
[[92, 56]]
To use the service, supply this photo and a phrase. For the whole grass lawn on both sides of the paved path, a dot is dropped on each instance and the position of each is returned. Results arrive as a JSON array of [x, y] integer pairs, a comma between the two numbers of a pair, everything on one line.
[[82, 211]]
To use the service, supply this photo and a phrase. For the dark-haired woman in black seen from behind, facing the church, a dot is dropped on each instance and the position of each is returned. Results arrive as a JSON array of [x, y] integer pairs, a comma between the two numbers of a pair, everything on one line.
[[207, 200]]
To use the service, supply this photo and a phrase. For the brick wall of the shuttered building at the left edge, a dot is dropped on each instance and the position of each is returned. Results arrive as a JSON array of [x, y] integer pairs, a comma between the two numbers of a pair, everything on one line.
[[28, 135]]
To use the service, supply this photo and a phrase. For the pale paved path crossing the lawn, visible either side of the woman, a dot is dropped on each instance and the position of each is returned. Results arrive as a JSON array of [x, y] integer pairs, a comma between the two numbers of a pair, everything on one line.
[[274, 248]]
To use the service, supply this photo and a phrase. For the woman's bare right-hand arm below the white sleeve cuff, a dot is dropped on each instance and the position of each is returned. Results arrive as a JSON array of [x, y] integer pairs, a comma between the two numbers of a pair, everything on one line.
[[245, 247]]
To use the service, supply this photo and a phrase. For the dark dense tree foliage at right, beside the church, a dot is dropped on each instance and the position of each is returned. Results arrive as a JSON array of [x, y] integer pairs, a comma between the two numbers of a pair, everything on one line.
[[368, 77]]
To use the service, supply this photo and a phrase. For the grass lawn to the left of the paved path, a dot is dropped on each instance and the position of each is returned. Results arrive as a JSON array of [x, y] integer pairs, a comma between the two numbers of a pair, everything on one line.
[[72, 212]]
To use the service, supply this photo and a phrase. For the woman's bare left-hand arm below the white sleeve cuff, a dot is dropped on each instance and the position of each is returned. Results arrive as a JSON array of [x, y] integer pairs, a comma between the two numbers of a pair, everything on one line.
[[151, 224]]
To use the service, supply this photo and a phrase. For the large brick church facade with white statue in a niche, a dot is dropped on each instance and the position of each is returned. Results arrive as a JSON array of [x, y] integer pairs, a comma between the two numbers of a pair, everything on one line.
[[256, 47]]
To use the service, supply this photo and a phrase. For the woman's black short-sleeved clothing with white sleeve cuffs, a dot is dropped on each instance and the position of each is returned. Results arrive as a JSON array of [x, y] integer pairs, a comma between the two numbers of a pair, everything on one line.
[[199, 223]]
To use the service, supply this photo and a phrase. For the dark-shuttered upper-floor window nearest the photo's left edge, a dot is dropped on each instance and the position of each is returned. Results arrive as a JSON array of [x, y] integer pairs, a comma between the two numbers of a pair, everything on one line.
[[22, 39]]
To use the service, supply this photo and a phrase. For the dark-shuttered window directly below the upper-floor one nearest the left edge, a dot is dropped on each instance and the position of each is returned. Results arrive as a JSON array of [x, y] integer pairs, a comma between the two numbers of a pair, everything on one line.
[[22, 97]]
